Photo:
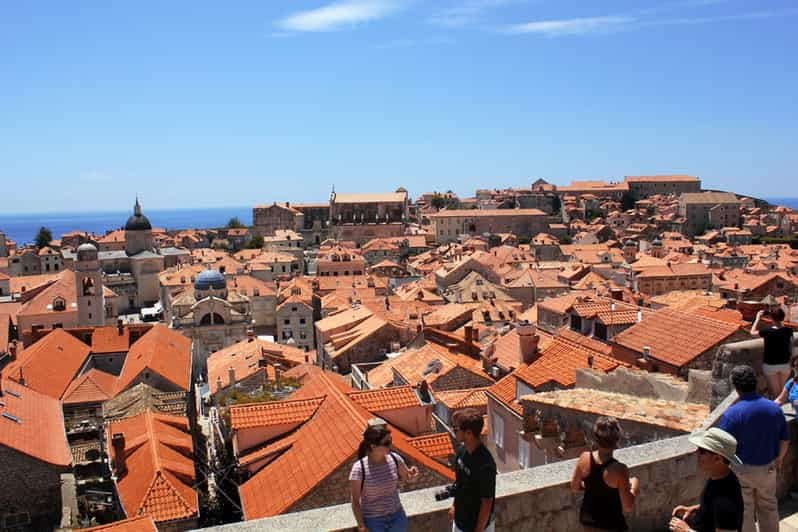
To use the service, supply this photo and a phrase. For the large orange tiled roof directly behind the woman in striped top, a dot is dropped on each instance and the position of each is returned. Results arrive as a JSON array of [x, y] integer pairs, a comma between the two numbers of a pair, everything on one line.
[[318, 448]]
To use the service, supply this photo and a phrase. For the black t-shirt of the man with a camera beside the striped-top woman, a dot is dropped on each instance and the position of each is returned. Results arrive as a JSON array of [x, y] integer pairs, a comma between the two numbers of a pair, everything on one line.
[[476, 480]]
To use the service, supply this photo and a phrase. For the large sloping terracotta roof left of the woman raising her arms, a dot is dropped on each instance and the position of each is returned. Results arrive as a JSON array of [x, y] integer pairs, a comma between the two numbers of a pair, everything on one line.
[[675, 337]]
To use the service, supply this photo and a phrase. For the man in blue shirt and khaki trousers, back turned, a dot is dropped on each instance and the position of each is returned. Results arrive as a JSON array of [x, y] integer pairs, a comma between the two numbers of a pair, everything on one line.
[[762, 436]]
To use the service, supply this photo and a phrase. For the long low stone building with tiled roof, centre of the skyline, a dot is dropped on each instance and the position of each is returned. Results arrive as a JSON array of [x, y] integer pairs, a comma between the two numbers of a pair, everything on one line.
[[448, 225]]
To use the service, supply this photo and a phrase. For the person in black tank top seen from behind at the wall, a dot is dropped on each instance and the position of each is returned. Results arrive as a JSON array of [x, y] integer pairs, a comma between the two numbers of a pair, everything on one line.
[[606, 483]]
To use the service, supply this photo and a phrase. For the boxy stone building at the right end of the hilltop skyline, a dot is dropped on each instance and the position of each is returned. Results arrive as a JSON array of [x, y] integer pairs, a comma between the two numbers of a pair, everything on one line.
[[705, 210]]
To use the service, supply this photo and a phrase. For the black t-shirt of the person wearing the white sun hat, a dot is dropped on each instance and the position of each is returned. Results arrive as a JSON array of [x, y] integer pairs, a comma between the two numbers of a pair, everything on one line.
[[721, 506]]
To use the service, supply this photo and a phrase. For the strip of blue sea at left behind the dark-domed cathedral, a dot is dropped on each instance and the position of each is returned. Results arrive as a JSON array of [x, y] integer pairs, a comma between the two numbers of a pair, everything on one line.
[[22, 228]]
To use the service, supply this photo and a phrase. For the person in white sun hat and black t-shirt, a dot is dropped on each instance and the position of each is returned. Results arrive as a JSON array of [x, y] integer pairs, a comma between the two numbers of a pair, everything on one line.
[[721, 506]]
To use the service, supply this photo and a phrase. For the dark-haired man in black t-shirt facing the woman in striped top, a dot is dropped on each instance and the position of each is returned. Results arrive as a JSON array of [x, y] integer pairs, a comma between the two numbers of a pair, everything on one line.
[[475, 481]]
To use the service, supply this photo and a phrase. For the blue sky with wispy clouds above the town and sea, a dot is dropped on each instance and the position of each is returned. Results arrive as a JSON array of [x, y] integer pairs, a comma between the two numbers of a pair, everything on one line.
[[201, 104]]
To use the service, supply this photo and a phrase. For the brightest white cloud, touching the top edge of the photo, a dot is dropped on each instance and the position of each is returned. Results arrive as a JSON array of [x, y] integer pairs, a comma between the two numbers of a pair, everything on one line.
[[337, 15]]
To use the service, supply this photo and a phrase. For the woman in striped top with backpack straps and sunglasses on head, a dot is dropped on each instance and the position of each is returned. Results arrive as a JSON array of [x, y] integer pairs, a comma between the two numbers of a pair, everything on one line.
[[374, 482]]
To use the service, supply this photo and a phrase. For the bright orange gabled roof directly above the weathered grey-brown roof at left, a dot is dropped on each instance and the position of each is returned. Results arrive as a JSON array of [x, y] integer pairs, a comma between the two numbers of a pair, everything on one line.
[[162, 351]]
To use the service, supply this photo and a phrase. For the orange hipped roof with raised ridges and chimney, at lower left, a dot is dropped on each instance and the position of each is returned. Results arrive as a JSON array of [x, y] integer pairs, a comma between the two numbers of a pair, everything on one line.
[[160, 466]]
